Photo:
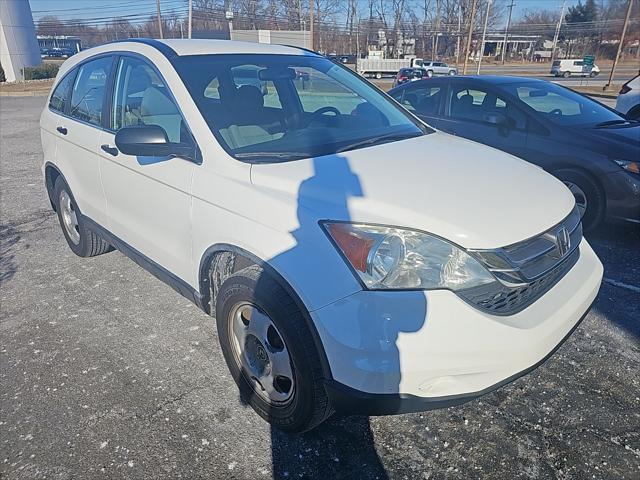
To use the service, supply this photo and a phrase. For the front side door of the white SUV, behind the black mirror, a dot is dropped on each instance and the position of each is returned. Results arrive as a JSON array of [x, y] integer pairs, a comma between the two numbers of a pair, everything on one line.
[[148, 198]]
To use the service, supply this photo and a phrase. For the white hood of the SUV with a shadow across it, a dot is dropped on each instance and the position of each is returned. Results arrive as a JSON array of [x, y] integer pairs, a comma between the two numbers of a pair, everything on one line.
[[471, 194]]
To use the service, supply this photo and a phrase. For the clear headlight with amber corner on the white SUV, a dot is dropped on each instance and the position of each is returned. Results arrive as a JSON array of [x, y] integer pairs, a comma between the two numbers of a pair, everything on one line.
[[394, 258]]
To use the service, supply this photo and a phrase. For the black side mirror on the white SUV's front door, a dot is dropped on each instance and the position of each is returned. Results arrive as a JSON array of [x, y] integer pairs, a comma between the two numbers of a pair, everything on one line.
[[151, 141]]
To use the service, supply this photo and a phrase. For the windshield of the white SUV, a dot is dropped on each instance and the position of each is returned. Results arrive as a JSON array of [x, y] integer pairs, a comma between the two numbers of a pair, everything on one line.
[[267, 108]]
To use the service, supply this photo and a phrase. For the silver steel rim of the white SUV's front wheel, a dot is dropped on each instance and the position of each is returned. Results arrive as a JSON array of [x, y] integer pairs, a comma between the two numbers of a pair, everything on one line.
[[261, 354]]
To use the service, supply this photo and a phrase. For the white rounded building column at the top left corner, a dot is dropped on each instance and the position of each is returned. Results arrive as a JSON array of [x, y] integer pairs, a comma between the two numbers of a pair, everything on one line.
[[18, 43]]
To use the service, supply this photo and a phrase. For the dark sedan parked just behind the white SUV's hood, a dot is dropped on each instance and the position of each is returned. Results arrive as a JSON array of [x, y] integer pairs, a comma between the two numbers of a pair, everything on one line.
[[590, 147]]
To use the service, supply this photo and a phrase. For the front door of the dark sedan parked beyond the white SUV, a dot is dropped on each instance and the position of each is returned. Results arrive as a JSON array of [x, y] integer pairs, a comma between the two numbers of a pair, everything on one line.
[[479, 113]]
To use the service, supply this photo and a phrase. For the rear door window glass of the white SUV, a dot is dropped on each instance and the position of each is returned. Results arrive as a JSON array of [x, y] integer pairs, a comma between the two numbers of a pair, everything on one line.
[[87, 97]]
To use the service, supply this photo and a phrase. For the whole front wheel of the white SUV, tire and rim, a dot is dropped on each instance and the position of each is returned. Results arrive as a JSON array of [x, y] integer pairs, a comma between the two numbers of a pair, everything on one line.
[[270, 352]]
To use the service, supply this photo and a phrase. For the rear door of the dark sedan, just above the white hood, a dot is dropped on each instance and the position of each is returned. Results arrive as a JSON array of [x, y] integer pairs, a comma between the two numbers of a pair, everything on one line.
[[423, 99]]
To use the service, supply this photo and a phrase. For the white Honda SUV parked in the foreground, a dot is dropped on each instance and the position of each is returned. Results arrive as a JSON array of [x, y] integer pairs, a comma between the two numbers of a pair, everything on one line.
[[347, 270]]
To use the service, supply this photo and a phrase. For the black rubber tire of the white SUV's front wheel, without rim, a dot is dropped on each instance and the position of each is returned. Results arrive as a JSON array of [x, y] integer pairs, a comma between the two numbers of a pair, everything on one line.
[[309, 405]]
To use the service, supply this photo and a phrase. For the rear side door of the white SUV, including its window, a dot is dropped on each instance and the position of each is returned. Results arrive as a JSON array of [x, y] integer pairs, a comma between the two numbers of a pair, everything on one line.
[[78, 130]]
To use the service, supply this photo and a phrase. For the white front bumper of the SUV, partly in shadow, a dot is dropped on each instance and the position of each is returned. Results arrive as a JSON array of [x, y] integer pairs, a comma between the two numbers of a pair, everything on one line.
[[402, 351]]
